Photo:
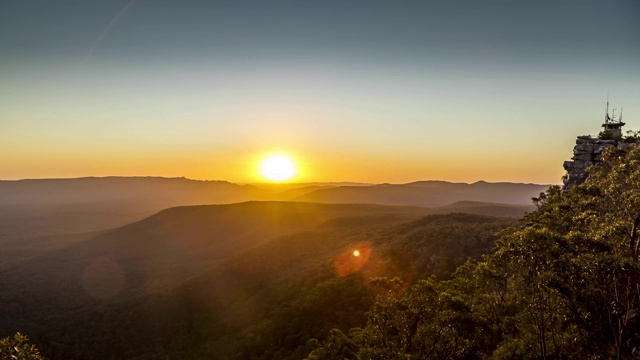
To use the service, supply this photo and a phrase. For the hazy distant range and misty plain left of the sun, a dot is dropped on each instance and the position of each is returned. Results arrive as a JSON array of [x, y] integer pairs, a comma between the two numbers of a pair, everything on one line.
[[57, 206]]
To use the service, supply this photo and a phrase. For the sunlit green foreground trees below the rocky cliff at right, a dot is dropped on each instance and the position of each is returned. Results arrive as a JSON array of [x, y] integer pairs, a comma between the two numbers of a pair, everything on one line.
[[566, 286]]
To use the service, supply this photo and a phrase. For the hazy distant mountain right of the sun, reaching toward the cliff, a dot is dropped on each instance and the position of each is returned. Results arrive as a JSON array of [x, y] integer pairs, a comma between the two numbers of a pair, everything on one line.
[[428, 193]]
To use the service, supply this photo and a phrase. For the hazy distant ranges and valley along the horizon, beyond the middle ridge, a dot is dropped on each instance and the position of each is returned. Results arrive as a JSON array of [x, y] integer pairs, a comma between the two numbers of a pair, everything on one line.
[[42, 207]]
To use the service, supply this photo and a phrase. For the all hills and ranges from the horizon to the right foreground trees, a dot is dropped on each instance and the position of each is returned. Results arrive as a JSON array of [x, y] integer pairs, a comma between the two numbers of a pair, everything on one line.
[[143, 267]]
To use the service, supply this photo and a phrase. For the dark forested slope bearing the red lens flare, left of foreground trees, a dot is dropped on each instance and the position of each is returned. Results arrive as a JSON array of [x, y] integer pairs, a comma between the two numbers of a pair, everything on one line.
[[267, 302]]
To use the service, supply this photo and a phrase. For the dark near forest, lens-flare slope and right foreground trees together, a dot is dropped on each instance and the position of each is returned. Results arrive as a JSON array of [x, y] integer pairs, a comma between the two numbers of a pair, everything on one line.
[[561, 283]]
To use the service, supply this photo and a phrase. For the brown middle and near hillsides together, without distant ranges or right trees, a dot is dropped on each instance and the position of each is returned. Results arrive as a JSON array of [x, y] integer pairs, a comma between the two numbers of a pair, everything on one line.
[[265, 301]]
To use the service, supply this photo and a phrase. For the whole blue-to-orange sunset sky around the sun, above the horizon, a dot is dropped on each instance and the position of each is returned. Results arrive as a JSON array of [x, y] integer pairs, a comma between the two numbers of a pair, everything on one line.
[[367, 91]]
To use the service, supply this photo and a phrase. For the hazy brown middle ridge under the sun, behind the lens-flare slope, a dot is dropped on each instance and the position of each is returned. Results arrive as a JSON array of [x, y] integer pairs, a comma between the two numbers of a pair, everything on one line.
[[152, 255]]
